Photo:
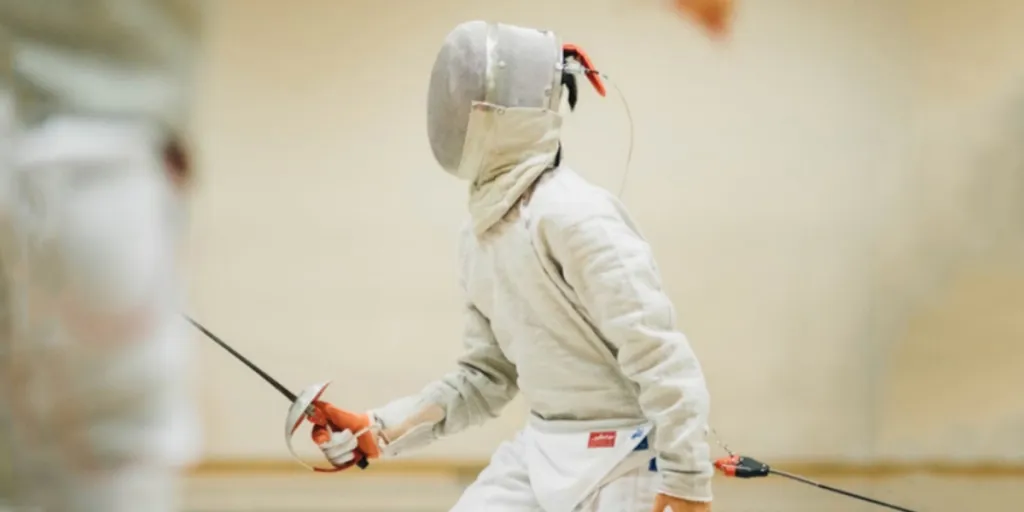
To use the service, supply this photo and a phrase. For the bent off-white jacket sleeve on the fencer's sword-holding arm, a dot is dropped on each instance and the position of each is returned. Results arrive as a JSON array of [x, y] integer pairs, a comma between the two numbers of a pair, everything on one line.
[[484, 382]]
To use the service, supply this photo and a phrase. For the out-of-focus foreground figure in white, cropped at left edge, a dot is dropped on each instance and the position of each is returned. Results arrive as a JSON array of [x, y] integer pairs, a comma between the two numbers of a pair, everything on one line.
[[94, 356]]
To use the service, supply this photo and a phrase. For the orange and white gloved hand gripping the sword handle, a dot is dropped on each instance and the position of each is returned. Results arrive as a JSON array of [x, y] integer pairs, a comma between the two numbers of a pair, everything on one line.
[[352, 441]]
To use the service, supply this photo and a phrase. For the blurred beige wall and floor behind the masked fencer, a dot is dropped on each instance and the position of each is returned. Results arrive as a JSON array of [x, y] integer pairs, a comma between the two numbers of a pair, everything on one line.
[[835, 196]]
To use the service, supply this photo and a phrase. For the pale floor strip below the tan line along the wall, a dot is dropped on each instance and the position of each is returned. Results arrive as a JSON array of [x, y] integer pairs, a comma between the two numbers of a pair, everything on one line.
[[316, 493]]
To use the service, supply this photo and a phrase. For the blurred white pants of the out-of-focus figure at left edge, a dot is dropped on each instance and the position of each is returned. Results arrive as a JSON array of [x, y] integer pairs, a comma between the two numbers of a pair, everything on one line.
[[93, 351]]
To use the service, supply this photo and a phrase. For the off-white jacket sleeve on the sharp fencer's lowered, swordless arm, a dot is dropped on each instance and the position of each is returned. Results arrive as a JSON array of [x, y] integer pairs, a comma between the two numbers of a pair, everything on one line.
[[613, 272]]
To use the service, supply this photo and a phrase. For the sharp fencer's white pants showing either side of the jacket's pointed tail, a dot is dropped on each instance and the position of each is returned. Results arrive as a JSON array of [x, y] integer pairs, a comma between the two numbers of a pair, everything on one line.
[[504, 487]]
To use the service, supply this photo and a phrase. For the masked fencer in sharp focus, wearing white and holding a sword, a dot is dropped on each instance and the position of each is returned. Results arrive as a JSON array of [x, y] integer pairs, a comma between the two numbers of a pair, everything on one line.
[[564, 304]]
